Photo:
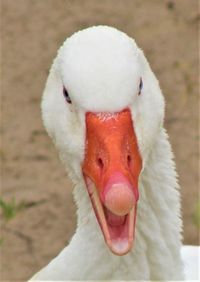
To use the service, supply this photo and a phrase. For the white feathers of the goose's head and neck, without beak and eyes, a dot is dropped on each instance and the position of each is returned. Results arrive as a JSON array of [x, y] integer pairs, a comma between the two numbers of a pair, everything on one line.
[[101, 68]]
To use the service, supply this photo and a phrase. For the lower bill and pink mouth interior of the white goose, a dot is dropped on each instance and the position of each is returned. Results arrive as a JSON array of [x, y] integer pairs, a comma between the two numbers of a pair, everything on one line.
[[118, 230]]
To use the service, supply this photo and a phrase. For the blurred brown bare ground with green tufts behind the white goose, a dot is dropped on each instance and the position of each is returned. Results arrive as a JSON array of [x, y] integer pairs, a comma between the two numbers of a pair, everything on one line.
[[36, 206]]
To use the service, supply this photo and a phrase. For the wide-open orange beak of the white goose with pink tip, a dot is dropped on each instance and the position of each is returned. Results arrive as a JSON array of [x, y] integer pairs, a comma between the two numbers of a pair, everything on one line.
[[111, 169]]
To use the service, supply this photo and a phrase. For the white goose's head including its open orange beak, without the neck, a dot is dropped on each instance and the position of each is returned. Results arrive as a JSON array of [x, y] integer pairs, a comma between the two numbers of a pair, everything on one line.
[[103, 108]]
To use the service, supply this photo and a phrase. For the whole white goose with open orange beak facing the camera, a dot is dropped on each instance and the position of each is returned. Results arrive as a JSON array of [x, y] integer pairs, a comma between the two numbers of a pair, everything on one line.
[[104, 109]]
